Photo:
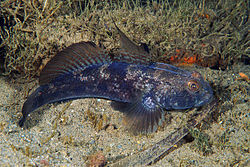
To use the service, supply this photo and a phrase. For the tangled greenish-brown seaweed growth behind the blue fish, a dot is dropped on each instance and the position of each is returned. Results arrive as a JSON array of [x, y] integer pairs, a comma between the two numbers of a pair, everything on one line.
[[33, 31]]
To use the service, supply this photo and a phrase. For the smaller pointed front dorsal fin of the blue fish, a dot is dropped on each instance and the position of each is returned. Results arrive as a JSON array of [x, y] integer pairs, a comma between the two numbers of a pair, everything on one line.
[[130, 52]]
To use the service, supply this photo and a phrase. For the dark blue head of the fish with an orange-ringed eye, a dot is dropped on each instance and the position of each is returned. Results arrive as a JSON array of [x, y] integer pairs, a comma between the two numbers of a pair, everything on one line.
[[188, 91]]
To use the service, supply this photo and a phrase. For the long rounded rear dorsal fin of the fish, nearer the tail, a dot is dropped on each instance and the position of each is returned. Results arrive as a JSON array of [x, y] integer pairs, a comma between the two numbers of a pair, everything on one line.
[[73, 58]]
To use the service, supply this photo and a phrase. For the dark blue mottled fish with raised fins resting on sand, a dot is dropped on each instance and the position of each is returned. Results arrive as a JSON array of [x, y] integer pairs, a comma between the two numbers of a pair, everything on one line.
[[138, 87]]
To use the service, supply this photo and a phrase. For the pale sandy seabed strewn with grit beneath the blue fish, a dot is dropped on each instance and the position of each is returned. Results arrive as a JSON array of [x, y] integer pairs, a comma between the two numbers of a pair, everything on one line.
[[53, 136]]
